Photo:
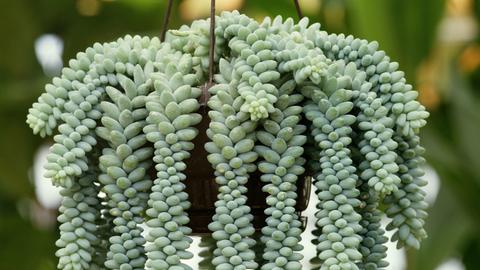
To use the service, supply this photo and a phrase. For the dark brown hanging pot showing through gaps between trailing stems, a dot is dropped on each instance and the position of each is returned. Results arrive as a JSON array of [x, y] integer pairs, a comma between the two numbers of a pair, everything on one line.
[[203, 190]]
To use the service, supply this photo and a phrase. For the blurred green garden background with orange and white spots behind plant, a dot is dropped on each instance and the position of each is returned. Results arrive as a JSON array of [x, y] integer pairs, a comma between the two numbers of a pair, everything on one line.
[[435, 42]]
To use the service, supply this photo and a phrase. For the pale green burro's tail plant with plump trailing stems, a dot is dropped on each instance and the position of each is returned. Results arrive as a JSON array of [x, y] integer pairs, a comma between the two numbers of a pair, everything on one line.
[[288, 99]]
